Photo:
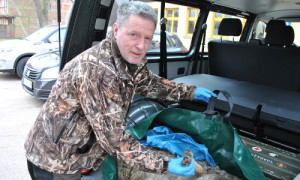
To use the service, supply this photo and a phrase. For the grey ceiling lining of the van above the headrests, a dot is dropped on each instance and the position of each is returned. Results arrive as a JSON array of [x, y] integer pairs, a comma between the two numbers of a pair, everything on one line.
[[271, 9]]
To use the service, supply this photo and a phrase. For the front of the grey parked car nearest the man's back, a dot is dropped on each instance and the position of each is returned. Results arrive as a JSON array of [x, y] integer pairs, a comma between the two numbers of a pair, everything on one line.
[[40, 74]]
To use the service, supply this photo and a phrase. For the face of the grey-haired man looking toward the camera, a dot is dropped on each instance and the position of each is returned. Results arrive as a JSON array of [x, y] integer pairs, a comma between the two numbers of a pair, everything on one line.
[[134, 38]]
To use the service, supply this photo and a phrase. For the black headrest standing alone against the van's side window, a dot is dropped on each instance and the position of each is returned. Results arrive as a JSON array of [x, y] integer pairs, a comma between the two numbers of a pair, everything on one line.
[[230, 27]]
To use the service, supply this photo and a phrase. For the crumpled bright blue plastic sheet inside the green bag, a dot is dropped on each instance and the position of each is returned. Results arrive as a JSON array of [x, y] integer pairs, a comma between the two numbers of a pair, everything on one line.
[[176, 143]]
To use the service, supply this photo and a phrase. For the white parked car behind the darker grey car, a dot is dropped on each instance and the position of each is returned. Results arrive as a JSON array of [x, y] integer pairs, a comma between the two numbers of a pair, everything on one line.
[[15, 53]]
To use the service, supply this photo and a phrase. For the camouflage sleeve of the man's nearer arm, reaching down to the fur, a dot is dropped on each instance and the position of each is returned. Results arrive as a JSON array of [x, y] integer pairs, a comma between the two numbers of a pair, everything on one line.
[[100, 103]]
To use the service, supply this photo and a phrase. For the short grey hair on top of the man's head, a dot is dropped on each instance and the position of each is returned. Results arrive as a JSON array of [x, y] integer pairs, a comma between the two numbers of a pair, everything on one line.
[[135, 8]]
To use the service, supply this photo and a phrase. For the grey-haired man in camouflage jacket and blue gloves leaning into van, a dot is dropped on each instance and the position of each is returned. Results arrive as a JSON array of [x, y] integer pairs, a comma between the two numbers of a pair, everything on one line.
[[83, 119]]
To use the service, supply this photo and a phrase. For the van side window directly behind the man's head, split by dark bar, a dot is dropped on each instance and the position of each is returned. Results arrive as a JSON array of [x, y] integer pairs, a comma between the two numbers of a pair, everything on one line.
[[178, 40]]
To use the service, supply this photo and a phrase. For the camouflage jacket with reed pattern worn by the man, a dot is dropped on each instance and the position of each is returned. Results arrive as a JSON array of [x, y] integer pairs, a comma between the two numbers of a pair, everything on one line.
[[91, 97]]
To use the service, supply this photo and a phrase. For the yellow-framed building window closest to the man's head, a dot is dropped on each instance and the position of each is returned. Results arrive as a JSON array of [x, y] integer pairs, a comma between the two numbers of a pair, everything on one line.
[[172, 17]]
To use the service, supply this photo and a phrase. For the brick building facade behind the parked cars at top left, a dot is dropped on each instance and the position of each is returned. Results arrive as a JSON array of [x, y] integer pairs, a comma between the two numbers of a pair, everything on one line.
[[18, 18]]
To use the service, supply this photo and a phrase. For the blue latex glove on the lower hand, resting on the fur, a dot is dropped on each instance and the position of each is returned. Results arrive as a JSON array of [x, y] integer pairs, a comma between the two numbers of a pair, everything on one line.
[[175, 167]]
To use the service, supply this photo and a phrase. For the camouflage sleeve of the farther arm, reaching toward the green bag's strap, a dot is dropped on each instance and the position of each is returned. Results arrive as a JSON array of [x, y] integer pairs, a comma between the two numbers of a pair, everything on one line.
[[153, 86]]
